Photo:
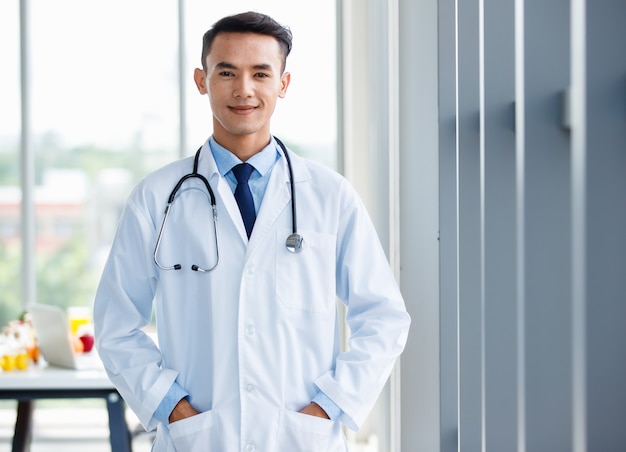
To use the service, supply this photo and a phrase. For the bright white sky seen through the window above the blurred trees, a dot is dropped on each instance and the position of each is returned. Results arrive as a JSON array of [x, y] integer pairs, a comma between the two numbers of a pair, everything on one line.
[[106, 73]]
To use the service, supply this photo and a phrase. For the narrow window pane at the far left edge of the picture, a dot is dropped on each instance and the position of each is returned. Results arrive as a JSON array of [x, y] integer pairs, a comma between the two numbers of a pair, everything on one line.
[[10, 194]]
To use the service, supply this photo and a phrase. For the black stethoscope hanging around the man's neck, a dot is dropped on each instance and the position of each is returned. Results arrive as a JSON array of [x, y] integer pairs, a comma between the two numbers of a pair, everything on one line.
[[294, 242]]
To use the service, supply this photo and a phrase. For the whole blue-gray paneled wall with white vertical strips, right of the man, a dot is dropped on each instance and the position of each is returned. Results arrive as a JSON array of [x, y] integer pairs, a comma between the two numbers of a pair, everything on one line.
[[532, 225]]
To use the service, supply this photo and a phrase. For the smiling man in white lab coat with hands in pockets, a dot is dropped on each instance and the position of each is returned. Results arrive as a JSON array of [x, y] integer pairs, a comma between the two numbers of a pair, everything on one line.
[[248, 355]]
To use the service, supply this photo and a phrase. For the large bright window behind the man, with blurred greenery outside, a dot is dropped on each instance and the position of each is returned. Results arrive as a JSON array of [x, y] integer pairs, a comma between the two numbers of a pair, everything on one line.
[[104, 111]]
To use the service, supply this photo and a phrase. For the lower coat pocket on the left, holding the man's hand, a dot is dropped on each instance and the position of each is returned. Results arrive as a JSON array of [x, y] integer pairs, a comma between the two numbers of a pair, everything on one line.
[[196, 433]]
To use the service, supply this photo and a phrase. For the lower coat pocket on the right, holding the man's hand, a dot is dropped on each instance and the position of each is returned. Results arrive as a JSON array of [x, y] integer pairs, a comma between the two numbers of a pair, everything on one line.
[[306, 433]]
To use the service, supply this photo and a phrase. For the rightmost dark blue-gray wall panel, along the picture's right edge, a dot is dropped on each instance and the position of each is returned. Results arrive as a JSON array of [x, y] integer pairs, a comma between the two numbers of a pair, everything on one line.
[[606, 225]]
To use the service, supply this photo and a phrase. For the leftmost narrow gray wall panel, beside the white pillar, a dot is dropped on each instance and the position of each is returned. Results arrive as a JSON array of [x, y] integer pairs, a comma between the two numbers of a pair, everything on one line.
[[448, 239]]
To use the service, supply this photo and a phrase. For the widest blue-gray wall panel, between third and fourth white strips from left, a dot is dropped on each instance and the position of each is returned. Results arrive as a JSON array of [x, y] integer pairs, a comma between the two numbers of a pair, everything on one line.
[[546, 230]]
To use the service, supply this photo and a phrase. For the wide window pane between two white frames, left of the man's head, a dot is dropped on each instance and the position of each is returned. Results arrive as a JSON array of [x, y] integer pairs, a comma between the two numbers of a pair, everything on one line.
[[104, 113]]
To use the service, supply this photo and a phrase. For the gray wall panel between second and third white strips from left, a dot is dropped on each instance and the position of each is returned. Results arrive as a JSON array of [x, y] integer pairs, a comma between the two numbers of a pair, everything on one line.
[[498, 223]]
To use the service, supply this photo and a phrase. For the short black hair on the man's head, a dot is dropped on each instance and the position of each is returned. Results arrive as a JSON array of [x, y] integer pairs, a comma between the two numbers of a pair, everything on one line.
[[249, 22]]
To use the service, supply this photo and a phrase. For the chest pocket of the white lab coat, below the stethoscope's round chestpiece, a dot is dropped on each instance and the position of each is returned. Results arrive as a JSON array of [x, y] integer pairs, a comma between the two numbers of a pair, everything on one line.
[[306, 281]]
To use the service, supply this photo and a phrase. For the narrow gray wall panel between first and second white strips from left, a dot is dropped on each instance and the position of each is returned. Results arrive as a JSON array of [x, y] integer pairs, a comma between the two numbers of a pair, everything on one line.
[[469, 295]]
